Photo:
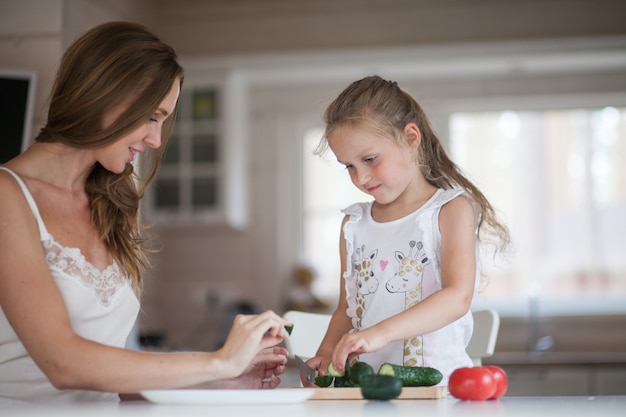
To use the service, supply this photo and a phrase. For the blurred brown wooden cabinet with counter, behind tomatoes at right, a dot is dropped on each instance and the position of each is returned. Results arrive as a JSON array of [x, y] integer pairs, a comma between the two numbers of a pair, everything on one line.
[[589, 359]]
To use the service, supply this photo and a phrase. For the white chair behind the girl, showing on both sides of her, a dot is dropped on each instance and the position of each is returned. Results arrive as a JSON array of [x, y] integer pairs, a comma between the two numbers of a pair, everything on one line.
[[309, 330]]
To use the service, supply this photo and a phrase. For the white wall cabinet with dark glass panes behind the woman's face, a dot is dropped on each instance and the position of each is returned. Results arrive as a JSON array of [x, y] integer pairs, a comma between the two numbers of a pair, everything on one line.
[[202, 178]]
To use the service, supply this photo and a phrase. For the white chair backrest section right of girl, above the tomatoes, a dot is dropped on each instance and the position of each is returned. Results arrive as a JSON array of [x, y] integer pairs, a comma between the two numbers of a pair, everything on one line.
[[483, 341]]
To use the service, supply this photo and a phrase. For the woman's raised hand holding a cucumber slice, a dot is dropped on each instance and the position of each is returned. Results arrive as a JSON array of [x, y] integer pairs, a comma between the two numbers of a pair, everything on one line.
[[249, 335]]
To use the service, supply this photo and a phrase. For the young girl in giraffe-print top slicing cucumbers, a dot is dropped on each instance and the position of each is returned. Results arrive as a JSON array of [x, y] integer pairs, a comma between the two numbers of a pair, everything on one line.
[[409, 259]]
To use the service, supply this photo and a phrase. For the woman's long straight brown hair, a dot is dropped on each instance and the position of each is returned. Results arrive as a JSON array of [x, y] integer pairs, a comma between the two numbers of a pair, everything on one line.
[[113, 64]]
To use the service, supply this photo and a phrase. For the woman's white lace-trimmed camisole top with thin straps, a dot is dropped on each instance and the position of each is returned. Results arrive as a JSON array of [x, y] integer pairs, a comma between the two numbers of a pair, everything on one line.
[[102, 307]]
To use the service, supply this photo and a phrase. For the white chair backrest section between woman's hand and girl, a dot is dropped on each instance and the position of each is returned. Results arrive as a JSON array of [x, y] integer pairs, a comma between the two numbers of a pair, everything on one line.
[[307, 333]]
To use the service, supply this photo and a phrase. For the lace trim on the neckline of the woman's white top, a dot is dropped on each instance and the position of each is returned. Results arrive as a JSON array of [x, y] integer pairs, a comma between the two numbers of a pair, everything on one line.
[[104, 283]]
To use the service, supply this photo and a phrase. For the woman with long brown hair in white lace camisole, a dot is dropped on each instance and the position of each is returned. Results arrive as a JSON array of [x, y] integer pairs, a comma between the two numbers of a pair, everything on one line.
[[71, 251]]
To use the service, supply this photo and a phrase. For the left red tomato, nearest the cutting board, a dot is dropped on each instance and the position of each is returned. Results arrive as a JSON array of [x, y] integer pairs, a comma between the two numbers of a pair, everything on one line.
[[472, 383]]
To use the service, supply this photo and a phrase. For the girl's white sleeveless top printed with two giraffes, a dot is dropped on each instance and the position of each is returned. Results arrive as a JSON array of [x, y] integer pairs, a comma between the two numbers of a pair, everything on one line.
[[394, 265]]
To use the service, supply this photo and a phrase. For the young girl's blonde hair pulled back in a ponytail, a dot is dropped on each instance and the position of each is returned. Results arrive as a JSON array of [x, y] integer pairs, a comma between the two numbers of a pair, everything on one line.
[[381, 107]]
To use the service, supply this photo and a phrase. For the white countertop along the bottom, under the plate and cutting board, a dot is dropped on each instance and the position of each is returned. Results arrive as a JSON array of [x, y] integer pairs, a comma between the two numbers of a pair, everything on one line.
[[604, 406]]
